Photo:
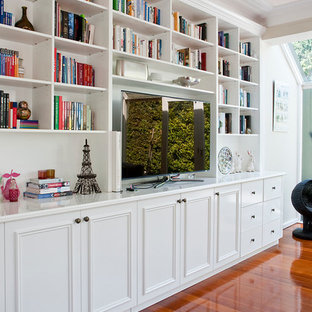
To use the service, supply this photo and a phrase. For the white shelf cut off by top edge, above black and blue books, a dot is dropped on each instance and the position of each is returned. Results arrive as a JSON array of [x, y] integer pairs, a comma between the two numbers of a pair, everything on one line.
[[89, 9]]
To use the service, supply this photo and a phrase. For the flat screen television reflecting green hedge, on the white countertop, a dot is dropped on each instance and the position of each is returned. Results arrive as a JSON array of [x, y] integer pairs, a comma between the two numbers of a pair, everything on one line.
[[164, 135]]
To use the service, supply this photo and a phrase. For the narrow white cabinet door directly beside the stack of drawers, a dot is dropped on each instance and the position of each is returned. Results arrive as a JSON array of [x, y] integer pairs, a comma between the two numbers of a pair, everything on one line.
[[227, 222]]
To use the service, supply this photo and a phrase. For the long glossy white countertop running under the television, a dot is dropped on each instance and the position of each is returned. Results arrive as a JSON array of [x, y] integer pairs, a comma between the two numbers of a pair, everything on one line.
[[28, 208]]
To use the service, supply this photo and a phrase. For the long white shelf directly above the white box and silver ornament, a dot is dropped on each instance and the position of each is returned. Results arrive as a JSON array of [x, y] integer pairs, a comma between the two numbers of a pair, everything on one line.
[[162, 65]]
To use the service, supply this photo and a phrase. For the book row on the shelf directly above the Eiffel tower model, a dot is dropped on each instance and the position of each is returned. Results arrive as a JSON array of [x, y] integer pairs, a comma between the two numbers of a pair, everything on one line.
[[72, 115]]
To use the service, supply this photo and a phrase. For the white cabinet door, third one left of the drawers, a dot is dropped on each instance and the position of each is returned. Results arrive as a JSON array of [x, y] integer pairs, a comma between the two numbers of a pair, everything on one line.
[[159, 240]]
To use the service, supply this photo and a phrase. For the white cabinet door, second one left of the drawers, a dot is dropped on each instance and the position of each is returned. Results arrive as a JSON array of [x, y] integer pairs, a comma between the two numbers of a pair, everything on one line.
[[196, 225]]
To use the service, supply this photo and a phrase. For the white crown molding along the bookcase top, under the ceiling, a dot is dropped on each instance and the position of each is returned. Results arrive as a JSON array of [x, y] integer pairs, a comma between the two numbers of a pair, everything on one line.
[[227, 15]]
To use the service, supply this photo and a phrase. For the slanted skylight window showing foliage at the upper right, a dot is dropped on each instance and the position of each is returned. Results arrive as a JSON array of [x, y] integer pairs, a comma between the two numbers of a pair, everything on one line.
[[302, 51]]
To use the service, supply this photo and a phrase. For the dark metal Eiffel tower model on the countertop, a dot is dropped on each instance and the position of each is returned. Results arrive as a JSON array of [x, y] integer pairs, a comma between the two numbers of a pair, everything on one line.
[[86, 183]]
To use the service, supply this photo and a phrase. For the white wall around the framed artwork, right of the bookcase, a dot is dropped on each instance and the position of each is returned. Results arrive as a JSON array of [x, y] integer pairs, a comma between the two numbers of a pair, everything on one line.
[[280, 150]]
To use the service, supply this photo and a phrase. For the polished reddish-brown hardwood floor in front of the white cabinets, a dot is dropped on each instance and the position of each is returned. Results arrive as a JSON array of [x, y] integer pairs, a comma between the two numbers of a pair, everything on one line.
[[278, 279]]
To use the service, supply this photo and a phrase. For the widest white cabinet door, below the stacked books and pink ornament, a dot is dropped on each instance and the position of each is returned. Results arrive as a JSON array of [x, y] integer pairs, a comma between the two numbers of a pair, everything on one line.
[[42, 264]]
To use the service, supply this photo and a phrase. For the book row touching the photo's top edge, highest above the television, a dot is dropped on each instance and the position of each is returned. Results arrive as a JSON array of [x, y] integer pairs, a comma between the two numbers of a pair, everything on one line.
[[139, 9]]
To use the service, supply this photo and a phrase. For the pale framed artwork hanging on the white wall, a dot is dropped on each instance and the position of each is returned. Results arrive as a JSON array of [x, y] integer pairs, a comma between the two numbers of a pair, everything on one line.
[[280, 106]]
